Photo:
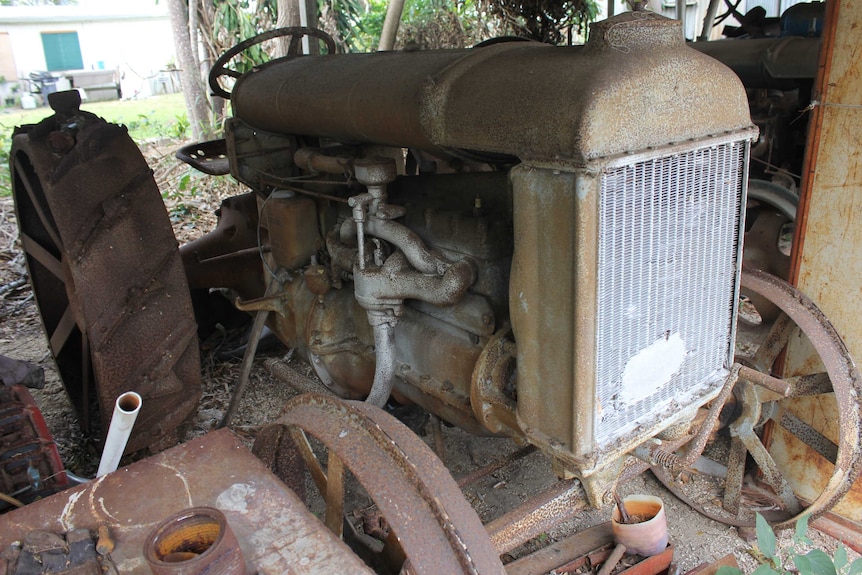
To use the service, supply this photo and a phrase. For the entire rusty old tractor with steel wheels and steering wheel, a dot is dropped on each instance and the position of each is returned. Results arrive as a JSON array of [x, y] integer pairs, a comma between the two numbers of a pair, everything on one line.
[[535, 242]]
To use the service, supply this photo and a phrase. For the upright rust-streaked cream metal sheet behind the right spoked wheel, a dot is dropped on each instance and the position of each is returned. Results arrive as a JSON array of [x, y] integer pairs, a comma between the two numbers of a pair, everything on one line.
[[828, 244]]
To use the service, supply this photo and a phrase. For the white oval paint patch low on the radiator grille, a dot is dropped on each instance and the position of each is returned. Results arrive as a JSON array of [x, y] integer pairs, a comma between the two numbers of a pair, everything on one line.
[[651, 368]]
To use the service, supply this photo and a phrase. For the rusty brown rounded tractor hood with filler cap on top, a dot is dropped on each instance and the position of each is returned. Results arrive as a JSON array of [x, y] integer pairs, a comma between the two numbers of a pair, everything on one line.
[[633, 86]]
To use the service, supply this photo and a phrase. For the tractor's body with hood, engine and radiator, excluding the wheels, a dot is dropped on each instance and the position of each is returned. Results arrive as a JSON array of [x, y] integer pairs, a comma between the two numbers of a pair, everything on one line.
[[529, 241]]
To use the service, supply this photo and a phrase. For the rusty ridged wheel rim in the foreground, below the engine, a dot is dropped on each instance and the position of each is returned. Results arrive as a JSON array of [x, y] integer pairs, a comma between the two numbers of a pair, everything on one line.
[[431, 522]]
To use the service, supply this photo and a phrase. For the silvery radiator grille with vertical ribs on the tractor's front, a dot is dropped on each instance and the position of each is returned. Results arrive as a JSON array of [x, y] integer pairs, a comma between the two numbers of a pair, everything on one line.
[[668, 251]]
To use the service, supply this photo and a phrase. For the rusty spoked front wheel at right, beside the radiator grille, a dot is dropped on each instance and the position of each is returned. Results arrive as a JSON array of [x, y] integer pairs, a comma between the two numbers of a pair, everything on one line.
[[758, 412]]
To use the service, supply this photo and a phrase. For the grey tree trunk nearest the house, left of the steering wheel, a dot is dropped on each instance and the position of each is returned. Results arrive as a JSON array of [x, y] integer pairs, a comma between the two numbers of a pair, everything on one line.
[[197, 105]]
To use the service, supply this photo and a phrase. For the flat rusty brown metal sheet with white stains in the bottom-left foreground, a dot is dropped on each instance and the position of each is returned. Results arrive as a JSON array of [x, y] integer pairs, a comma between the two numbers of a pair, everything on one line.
[[276, 533]]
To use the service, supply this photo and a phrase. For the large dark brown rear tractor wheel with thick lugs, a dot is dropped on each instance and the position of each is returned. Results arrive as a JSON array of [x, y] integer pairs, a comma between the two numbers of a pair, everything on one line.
[[106, 273]]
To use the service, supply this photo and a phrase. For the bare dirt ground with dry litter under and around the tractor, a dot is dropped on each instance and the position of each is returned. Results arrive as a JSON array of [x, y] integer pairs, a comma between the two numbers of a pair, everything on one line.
[[696, 539]]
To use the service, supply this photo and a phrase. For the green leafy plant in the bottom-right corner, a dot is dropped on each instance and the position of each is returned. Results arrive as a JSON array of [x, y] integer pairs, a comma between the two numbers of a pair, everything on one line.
[[774, 561]]
